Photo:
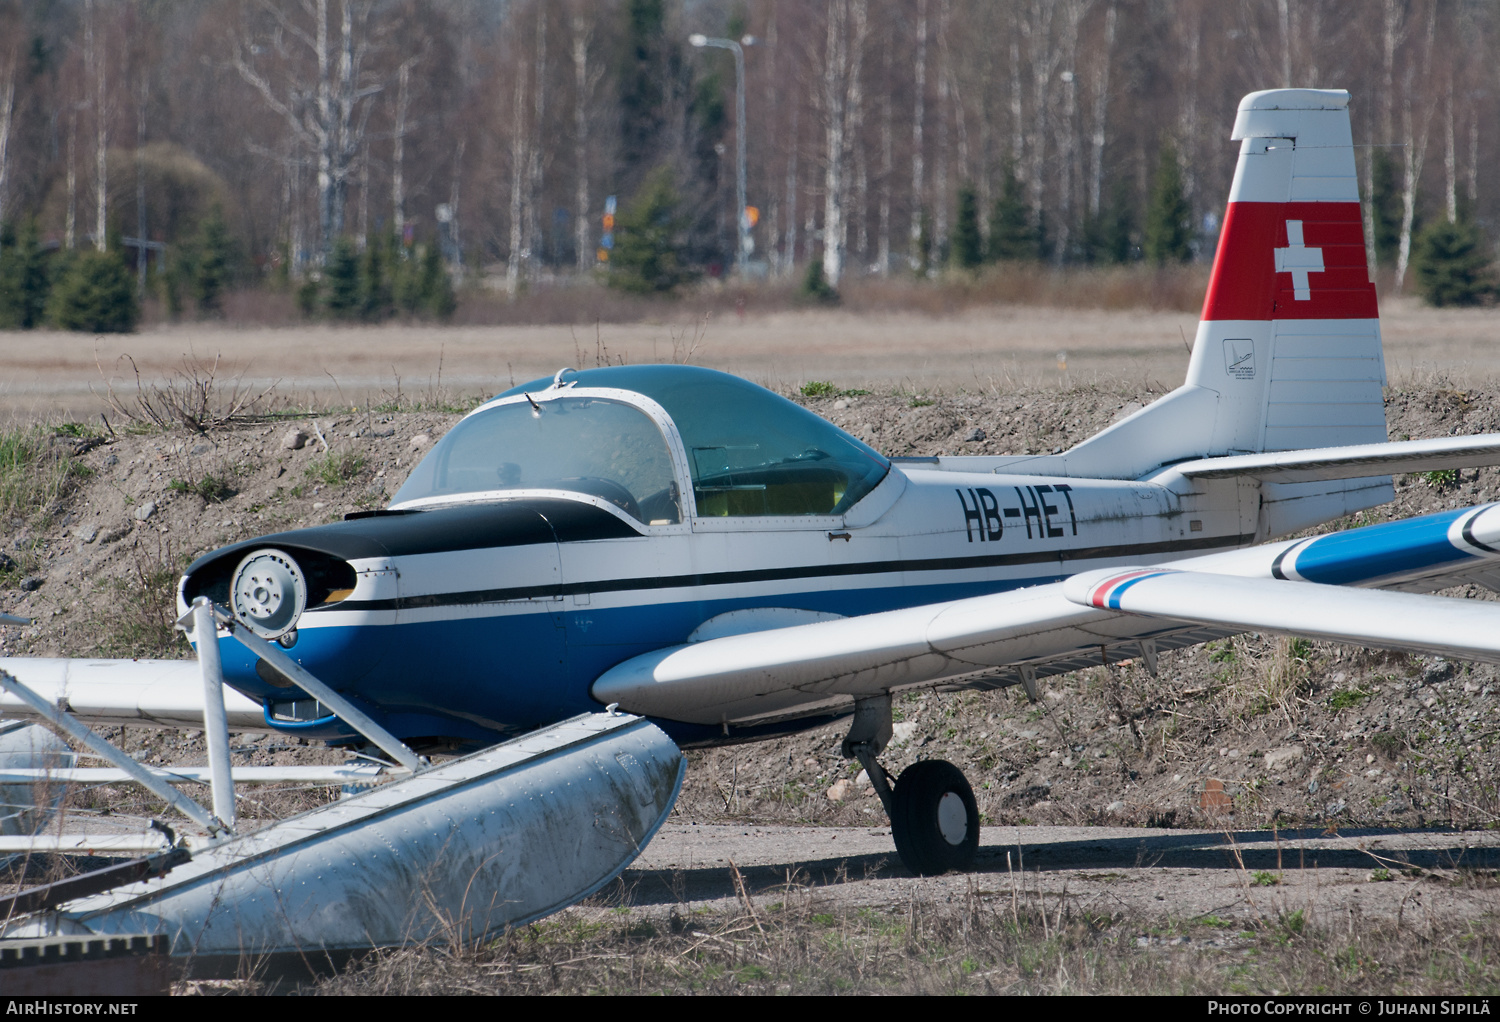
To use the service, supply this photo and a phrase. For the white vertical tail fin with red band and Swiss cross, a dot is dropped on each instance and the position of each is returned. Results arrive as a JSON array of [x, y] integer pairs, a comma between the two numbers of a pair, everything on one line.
[[1288, 353]]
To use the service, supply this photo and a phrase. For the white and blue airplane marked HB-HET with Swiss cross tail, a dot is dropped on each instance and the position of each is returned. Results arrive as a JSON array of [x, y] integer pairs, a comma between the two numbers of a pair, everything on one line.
[[692, 549]]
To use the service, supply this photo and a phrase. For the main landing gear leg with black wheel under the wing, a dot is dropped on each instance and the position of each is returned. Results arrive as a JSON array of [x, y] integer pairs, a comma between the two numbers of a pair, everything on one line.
[[935, 820]]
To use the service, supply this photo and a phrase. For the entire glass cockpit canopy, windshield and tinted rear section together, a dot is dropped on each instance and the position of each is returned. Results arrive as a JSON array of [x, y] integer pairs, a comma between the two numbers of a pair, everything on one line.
[[749, 452]]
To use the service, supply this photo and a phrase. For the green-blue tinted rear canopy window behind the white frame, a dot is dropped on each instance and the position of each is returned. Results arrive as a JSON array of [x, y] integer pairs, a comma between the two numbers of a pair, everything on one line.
[[751, 452]]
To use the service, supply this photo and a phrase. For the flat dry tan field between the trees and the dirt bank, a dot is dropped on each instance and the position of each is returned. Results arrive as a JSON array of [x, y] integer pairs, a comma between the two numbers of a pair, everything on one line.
[[982, 349]]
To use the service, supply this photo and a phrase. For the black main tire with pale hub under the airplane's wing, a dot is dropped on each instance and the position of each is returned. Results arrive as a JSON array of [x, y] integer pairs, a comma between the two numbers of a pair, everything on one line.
[[929, 834]]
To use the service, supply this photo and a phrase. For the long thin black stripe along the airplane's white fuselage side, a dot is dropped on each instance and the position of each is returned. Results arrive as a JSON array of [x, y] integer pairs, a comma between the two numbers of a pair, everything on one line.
[[785, 574]]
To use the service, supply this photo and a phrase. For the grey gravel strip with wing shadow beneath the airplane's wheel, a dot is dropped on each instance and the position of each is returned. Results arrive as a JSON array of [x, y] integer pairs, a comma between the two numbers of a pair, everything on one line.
[[1180, 874]]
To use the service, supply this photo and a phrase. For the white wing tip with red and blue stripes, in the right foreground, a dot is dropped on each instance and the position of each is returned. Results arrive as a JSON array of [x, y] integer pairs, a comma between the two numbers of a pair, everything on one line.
[[1460, 630]]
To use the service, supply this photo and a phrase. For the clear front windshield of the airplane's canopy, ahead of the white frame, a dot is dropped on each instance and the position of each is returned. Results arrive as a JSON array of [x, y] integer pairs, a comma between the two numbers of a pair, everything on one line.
[[584, 445]]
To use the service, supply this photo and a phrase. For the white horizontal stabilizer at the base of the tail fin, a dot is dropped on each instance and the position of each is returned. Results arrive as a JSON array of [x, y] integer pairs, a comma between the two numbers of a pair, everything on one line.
[[1352, 463]]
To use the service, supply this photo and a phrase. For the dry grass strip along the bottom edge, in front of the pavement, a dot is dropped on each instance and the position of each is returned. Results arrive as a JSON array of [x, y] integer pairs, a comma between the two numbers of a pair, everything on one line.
[[989, 943]]
